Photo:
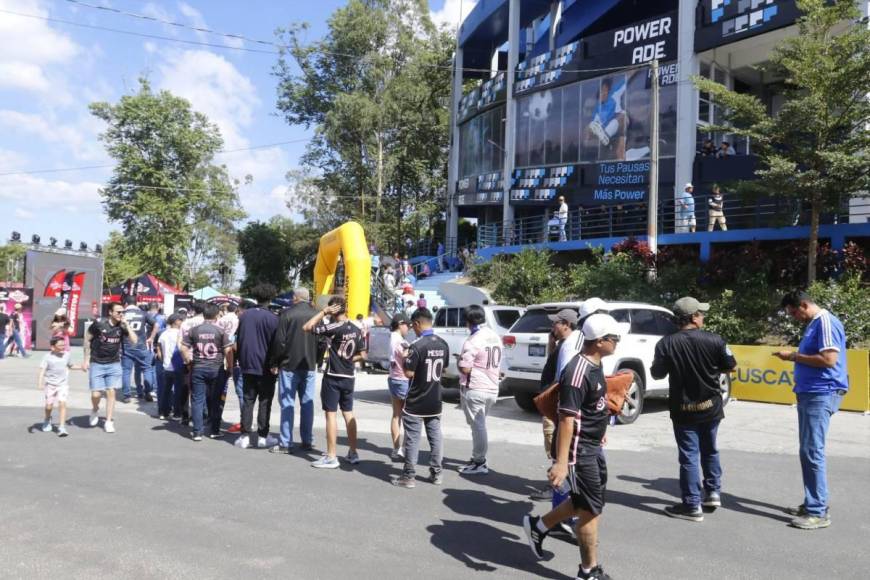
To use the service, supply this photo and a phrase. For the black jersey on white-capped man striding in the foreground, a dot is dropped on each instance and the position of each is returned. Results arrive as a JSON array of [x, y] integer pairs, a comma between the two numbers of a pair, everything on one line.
[[583, 395]]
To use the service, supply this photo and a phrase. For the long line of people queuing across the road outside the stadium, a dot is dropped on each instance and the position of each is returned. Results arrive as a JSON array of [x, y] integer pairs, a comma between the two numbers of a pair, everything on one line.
[[199, 351]]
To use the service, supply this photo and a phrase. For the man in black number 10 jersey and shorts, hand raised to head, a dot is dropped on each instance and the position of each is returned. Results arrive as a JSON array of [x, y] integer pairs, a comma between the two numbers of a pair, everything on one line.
[[346, 348]]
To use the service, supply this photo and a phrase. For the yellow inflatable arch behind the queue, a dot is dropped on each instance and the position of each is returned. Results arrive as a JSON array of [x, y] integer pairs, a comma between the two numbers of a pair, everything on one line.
[[349, 242]]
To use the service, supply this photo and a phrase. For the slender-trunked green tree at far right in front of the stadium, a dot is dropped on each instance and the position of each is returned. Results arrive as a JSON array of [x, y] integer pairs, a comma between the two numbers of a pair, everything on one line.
[[816, 148]]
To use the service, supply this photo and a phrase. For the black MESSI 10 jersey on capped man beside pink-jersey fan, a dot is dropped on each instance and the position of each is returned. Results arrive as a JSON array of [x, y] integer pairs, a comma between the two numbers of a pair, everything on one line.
[[427, 358]]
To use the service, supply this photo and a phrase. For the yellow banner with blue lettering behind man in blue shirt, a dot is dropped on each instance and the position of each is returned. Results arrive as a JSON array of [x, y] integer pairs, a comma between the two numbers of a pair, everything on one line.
[[760, 376]]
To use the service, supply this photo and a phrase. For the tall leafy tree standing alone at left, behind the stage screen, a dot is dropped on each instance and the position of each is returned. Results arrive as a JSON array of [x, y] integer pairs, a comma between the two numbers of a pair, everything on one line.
[[176, 208]]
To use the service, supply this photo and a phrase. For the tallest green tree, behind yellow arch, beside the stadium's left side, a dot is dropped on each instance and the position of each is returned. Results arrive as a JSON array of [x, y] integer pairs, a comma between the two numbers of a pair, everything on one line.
[[375, 89]]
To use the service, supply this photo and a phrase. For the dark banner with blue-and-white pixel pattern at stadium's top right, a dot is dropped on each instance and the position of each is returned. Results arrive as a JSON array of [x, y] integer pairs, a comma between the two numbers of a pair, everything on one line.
[[725, 21]]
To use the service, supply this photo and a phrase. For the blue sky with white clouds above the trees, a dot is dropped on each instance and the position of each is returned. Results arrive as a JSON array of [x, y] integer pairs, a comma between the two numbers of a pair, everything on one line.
[[50, 71]]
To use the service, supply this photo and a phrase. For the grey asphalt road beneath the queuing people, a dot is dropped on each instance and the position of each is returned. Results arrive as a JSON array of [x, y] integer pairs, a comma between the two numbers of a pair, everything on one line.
[[147, 502]]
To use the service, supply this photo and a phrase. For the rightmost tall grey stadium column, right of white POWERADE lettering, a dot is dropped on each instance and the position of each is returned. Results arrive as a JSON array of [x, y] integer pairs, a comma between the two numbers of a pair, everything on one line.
[[687, 96]]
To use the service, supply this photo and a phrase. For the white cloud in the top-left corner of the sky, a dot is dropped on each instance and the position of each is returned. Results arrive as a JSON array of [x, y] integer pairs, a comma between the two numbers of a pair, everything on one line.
[[32, 53]]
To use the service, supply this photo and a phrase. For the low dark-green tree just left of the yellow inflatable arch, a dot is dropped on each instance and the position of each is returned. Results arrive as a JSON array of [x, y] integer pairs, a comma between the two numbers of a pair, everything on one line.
[[277, 250]]
